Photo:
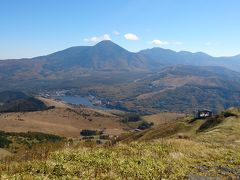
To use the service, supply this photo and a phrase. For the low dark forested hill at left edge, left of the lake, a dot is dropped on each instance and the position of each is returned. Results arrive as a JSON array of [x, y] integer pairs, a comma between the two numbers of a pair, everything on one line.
[[11, 101]]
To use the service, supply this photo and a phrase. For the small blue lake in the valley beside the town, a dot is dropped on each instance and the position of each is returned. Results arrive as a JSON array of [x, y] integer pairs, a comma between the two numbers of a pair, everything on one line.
[[79, 100]]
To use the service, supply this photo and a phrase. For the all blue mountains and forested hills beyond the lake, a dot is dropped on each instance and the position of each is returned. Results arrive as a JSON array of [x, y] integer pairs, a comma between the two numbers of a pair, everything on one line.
[[153, 78]]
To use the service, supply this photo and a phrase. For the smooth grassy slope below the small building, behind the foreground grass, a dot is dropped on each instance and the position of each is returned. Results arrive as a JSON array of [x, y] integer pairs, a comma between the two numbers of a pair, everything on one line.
[[223, 128]]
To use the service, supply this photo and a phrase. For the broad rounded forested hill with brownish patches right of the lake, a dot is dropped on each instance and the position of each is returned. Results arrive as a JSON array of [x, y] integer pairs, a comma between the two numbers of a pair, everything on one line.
[[183, 88]]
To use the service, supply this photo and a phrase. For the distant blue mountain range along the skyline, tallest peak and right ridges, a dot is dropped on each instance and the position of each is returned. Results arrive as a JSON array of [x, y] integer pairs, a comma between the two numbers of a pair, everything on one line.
[[106, 56]]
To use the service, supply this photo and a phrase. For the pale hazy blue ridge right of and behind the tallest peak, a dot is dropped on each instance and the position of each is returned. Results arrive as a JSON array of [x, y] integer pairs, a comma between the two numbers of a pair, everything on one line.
[[164, 57]]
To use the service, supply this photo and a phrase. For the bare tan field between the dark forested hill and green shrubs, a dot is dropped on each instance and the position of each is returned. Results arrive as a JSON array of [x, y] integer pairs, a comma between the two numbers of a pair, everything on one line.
[[63, 120]]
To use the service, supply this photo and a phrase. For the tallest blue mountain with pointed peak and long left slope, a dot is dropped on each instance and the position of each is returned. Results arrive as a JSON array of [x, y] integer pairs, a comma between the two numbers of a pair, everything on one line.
[[73, 63]]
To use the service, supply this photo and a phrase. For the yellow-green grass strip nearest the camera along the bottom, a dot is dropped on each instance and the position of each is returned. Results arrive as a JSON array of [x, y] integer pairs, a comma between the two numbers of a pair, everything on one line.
[[161, 159]]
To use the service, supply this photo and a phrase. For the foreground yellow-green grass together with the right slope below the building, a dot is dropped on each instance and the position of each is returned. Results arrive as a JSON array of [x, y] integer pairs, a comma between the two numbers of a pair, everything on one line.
[[187, 148]]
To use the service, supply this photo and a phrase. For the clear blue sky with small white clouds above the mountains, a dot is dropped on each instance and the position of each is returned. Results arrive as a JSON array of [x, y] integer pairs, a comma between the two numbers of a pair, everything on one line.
[[31, 28]]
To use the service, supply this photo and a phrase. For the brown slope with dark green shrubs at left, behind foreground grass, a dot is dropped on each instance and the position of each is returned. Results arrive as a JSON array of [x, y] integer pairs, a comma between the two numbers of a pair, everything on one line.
[[22, 146]]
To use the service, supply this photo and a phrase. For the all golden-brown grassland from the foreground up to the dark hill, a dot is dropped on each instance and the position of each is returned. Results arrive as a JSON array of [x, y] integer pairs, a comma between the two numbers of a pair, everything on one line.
[[172, 146]]
